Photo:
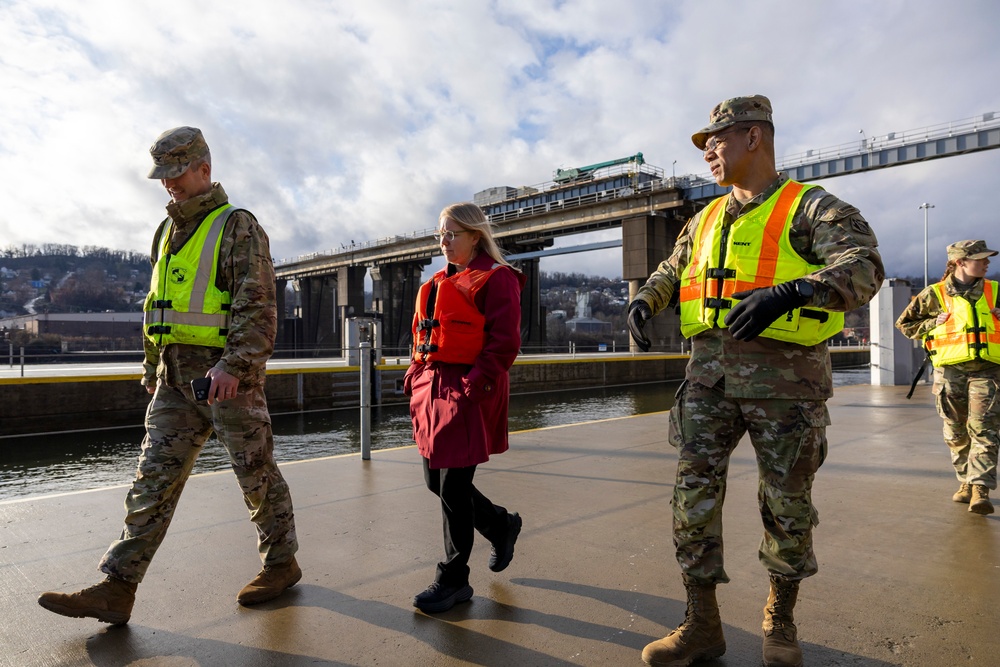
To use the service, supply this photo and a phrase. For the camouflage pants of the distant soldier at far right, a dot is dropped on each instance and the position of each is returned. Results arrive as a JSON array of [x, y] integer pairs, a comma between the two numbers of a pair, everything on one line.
[[970, 407]]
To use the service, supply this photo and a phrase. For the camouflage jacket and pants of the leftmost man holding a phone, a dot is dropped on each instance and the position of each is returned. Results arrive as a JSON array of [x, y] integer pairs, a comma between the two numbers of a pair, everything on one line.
[[177, 426]]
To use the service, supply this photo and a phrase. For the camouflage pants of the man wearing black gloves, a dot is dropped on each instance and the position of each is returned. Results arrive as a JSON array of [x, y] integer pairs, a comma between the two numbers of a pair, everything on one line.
[[789, 438]]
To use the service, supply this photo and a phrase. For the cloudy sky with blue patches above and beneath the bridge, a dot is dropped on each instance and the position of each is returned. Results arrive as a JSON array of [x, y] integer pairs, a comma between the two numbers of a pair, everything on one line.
[[337, 121]]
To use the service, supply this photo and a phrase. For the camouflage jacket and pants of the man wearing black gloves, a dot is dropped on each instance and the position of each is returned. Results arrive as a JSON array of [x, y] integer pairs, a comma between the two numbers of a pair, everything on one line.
[[774, 390]]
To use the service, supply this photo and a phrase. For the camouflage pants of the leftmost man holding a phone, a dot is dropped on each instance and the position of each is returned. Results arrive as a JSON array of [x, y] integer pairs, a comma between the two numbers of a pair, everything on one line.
[[176, 428]]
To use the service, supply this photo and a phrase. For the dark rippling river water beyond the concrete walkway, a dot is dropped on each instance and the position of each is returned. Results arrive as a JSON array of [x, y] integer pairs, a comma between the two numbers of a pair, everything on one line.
[[43, 465]]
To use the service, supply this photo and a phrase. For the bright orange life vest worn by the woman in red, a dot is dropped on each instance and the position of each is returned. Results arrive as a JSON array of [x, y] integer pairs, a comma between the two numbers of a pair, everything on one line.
[[451, 330]]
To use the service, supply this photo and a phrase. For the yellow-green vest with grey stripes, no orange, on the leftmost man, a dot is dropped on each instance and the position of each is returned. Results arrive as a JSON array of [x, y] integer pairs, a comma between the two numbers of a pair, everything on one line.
[[183, 304]]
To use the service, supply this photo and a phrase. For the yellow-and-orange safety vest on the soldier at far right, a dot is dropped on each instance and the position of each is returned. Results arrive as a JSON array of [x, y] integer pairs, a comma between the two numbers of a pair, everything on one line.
[[972, 331]]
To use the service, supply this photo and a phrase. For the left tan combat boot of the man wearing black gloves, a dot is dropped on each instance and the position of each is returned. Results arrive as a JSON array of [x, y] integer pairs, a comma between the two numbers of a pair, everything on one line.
[[699, 637]]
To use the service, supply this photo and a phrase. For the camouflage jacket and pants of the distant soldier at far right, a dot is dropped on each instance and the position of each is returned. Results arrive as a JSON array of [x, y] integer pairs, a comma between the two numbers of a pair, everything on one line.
[[966, 393]]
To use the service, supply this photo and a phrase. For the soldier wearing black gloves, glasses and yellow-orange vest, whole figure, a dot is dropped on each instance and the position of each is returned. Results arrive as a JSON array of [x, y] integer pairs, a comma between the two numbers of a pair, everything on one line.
[[747, 373]]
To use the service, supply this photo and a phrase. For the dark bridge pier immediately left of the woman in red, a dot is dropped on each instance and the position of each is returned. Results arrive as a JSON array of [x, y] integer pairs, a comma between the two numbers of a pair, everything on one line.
[[394, 295]]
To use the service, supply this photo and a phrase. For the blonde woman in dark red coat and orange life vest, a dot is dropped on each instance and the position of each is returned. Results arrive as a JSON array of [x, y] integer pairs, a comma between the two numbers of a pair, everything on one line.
[[466, 334]]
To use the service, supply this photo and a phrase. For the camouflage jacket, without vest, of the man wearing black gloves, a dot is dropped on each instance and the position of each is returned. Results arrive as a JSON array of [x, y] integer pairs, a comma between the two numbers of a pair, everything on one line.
[[825, 231]]
